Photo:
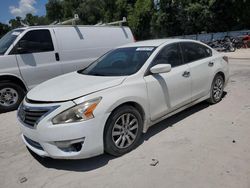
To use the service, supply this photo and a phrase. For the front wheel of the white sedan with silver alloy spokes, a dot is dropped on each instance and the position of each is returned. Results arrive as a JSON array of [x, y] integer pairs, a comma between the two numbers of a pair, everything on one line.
[[119, 136]]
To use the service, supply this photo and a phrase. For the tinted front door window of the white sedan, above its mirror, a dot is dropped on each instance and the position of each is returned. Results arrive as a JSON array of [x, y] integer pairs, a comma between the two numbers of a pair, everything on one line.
[[169, 55]]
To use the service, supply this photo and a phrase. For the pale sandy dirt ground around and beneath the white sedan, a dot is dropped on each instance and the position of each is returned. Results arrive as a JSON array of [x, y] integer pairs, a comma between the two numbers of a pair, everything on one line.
[[204, 146]]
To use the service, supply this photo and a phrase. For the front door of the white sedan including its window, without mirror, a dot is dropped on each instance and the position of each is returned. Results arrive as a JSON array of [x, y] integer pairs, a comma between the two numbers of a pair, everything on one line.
[[168, 91]]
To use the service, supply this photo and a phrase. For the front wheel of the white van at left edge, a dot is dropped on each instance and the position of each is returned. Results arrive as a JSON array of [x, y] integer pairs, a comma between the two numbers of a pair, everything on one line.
[[11, 95]]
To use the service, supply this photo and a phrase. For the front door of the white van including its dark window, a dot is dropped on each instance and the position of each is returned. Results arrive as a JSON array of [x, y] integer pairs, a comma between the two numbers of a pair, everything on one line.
[[38, 62]]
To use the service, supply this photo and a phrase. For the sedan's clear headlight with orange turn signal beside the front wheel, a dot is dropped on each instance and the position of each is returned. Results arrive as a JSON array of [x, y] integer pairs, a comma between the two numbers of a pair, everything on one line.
[[81, 112]]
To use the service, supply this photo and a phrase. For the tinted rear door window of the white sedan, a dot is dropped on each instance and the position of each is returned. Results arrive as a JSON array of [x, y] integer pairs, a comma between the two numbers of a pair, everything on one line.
[[194, 51]]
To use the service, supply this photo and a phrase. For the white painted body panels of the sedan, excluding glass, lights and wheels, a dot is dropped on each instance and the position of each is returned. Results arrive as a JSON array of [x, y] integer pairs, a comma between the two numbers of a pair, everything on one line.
[[159, 96]]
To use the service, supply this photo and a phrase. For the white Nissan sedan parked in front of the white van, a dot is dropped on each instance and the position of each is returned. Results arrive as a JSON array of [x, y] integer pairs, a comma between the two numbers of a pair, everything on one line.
[[108, 105]]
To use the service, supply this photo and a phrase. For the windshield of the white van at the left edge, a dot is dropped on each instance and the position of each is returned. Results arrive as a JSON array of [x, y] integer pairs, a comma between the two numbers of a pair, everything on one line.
[[8, 39]]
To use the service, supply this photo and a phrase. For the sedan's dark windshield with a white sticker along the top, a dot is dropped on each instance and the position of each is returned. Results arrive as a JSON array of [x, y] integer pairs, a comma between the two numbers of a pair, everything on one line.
[[119, 62]]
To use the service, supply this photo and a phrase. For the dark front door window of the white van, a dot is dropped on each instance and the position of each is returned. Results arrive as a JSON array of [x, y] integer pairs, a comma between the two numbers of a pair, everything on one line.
[[37, 41]]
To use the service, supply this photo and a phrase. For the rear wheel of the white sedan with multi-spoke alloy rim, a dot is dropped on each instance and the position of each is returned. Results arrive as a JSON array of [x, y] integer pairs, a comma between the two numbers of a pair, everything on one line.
[[216, 90]]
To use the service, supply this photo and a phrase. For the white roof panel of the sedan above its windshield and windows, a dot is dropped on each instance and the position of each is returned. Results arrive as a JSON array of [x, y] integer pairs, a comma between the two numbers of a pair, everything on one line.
[[155, 42]]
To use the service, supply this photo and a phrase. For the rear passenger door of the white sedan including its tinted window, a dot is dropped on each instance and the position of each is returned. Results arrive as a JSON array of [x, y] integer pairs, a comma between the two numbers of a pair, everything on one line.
[[199, 59]]
